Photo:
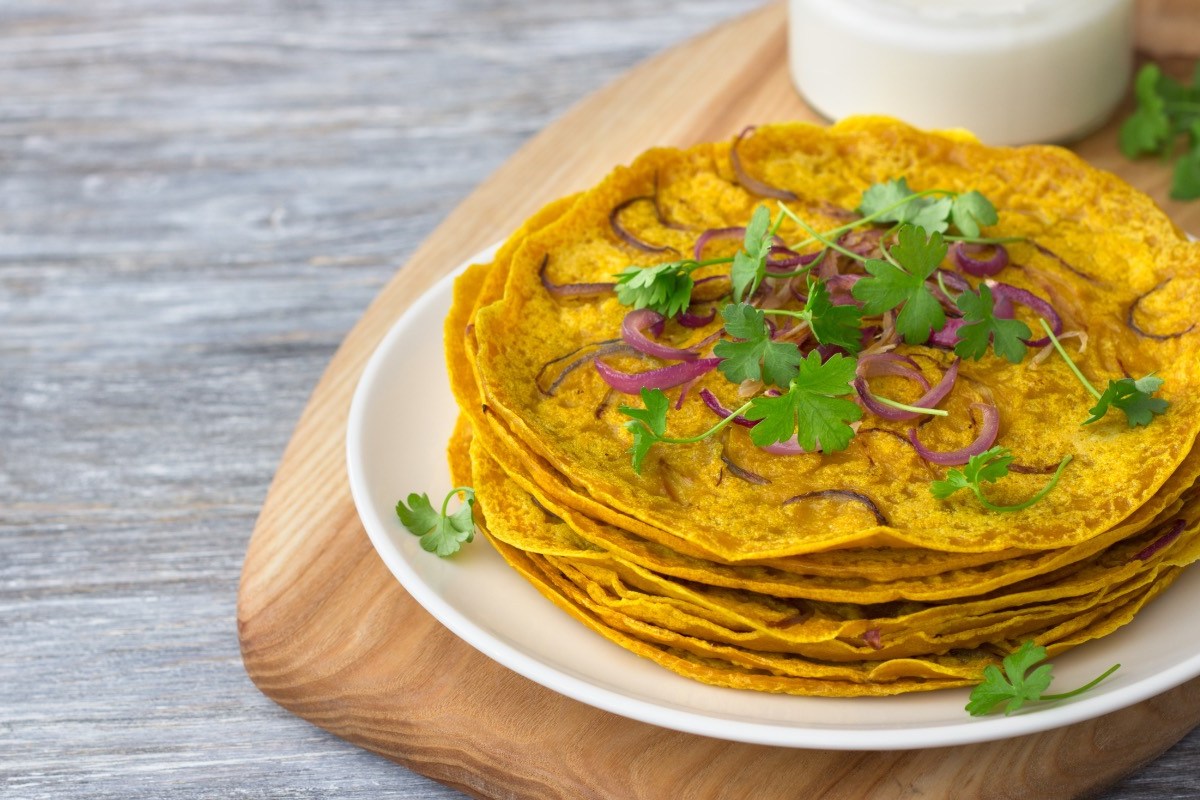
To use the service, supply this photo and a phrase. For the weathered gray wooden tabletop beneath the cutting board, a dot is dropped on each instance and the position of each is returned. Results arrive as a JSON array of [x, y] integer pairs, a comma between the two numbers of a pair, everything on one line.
[[200, 199]]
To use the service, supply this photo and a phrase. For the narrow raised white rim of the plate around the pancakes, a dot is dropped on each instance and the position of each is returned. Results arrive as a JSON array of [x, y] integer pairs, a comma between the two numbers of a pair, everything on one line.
[[779, 735]]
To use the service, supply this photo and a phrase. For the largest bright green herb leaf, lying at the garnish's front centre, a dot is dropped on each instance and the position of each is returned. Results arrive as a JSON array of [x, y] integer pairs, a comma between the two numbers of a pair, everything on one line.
[[813, 407]]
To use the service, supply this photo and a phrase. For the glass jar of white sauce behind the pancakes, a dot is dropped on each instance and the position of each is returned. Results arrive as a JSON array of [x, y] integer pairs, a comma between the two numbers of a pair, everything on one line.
[[1011, 71]]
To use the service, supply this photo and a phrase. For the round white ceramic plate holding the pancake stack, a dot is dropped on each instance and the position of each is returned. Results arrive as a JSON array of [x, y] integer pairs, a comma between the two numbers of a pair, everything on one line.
[[401, 419]]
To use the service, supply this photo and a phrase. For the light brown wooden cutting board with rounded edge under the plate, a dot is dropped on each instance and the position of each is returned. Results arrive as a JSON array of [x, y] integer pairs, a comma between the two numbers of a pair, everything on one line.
[[328, 634]]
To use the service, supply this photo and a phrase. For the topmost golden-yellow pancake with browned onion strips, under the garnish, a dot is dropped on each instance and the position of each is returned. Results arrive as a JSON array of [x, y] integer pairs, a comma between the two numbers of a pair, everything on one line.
[[1113, 245]]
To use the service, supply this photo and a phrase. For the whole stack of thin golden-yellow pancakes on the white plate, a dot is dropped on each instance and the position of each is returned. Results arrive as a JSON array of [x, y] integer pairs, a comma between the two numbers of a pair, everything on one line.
[[706, 562]]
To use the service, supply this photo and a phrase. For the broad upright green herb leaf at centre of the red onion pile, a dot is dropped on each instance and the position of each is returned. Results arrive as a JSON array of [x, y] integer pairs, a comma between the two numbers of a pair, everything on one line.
[[904, 284]]
